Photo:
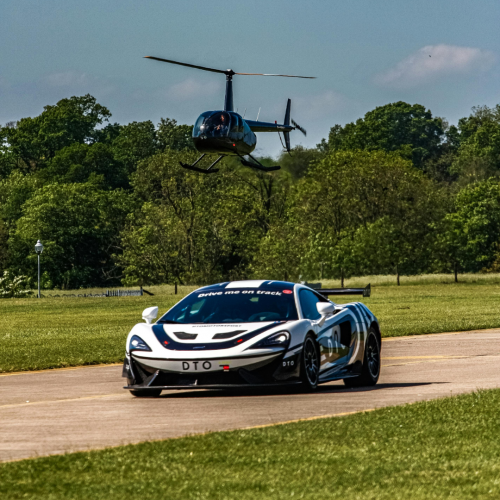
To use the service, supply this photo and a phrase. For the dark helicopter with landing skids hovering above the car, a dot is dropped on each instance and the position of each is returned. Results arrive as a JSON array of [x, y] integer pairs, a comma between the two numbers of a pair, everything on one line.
[[226, 133]]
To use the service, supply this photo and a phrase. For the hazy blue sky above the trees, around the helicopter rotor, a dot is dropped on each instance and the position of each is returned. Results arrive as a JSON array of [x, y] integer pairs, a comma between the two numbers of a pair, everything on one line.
[[364, 53]]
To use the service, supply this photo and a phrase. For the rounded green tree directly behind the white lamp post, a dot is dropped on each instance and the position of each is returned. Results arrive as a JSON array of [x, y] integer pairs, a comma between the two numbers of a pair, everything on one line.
[[79, 226]]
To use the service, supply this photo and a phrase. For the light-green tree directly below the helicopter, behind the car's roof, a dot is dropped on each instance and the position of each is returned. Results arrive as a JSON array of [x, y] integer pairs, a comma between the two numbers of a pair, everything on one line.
[[194, 228]]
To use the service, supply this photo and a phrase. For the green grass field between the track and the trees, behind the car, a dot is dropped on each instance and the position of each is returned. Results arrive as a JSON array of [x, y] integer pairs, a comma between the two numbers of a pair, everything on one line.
[[67, 331]]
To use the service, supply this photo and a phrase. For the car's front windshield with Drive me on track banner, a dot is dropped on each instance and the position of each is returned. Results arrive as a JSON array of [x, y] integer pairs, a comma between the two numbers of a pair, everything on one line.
[[233, 306]]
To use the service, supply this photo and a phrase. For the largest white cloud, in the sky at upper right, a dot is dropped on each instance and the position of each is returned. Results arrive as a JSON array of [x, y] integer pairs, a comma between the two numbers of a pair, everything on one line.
[[434, 61]]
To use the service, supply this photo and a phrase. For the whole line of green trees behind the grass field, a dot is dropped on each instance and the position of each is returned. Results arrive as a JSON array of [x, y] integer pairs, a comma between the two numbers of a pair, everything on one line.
[[399, 192]]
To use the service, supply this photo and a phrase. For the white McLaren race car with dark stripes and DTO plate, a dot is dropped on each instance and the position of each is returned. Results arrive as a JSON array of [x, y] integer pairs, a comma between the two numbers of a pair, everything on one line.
[[254, 333]]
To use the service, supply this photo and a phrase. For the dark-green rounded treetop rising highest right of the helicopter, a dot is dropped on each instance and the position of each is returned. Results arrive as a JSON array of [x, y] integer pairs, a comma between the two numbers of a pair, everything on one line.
[[410, 130]]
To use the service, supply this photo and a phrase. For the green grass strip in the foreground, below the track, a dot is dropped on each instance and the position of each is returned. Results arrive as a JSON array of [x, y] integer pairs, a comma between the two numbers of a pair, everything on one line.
[[446, 448]]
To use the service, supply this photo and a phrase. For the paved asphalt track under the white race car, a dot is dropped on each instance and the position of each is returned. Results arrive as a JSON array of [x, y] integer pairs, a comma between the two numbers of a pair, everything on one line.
[[57, 411]]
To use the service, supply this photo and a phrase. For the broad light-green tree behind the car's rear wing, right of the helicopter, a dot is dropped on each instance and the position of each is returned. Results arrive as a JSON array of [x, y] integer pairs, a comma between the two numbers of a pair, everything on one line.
[[336, 209]]
